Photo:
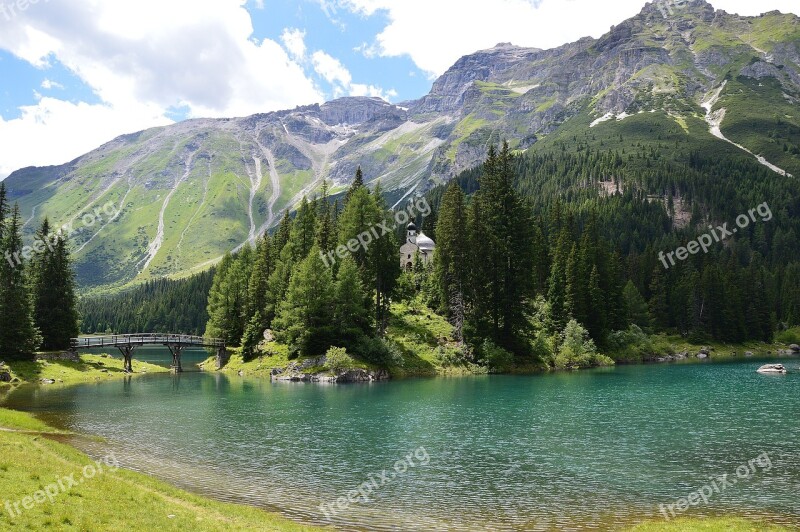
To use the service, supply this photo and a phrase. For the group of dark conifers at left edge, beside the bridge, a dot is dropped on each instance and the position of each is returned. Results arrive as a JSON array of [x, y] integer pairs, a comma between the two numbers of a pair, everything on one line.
[[37, 288]]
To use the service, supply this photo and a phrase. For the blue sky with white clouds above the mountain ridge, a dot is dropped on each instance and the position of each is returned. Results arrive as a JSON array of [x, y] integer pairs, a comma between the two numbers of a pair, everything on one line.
[[77, 73]]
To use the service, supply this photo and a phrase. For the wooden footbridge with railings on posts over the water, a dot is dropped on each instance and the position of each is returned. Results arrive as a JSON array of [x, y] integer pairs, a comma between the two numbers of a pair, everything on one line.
[[176, 343]]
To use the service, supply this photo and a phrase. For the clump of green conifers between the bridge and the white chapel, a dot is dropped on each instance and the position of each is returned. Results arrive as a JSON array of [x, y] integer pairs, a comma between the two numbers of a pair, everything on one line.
[[286, 284]]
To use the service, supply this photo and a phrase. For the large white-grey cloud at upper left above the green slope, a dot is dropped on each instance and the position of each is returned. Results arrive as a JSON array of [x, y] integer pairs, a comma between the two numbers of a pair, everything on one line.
[[142, 58]]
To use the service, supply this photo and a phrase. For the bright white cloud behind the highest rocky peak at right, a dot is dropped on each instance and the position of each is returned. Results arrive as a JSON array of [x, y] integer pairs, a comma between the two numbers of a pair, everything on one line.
[[415, 27]]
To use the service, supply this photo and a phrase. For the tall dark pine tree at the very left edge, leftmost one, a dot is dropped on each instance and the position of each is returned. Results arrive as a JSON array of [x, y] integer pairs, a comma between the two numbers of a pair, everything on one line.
[[19, 337]]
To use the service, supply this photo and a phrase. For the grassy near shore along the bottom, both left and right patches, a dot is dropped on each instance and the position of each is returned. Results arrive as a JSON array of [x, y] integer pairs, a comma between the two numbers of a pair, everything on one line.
[[151, 503]]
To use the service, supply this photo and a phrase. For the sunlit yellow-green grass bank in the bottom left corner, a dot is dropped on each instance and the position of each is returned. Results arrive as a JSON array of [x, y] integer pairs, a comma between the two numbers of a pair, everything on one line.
[[115, 499]]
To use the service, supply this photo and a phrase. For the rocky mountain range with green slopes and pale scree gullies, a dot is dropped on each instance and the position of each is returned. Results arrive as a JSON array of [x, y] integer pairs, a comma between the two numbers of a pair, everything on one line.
[[187, 193]]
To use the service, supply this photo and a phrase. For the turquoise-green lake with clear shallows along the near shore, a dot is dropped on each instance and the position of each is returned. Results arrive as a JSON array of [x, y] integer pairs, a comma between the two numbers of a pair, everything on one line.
[[589, 449]]
